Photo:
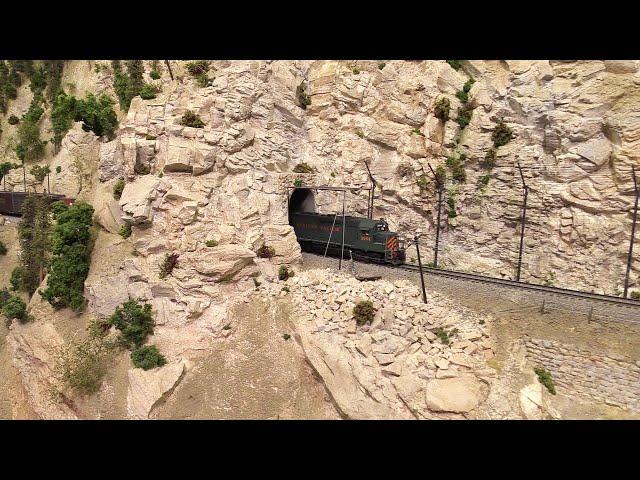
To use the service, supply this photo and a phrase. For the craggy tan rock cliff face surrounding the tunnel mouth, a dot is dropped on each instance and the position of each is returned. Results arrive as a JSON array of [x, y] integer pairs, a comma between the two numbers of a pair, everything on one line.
[[575, 128]]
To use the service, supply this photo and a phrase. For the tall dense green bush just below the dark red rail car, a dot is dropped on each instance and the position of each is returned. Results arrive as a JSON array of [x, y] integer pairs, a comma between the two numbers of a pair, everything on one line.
[[71, 248]]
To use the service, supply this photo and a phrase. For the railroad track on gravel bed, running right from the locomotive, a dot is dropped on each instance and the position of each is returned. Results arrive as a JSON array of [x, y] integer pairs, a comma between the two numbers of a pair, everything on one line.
[[547, 298]]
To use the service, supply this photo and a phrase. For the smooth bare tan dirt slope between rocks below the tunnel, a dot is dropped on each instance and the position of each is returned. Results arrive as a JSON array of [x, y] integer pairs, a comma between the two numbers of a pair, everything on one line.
[[254, 374]]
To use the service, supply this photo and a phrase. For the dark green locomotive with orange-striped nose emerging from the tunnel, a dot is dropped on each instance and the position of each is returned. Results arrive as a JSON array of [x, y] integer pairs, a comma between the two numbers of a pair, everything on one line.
[[366, 238]]
